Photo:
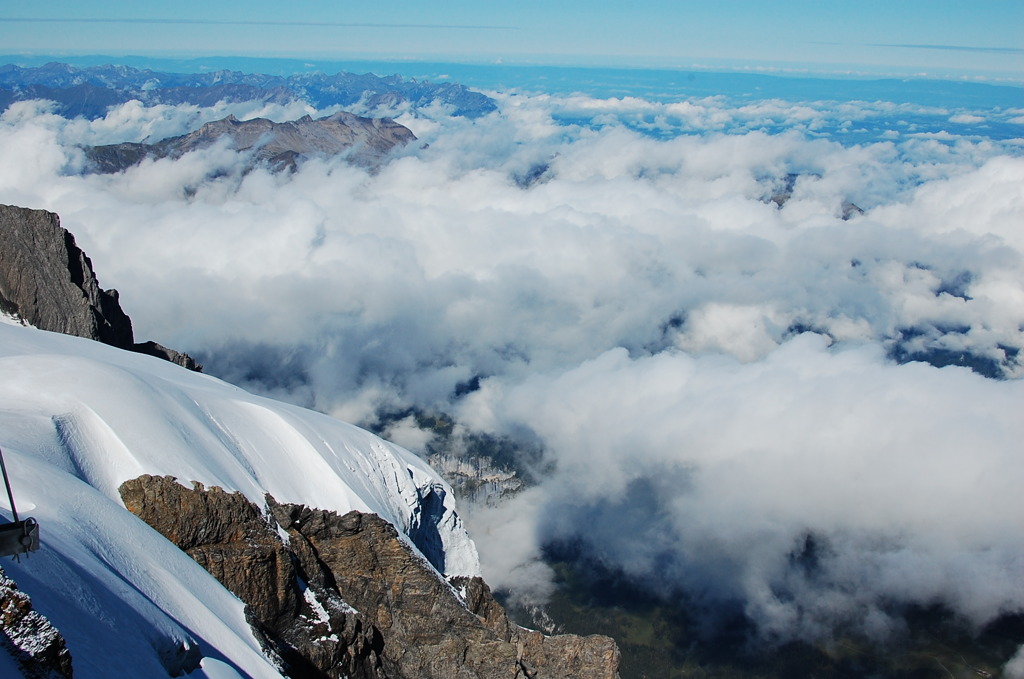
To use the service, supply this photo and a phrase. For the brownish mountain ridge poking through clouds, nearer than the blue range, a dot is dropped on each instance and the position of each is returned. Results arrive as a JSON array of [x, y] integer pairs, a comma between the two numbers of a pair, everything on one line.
[[366, 141]]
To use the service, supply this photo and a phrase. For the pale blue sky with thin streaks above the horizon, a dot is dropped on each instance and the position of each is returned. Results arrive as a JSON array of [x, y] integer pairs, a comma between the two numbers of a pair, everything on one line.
[[940, 37]]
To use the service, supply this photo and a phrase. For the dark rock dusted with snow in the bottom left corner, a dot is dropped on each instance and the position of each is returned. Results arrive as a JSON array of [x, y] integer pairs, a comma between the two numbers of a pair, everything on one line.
[[29, 638]]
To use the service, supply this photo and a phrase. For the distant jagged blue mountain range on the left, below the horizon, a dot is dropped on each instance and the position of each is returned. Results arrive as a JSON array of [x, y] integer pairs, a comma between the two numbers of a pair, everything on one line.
[[91, 92]]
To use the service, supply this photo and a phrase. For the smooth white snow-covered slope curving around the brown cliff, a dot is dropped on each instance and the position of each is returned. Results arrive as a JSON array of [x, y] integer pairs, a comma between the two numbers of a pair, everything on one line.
[[78, 418]]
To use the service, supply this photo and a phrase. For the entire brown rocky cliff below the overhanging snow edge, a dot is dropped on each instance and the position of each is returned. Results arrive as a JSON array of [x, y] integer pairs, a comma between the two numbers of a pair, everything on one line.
[[347, 597]]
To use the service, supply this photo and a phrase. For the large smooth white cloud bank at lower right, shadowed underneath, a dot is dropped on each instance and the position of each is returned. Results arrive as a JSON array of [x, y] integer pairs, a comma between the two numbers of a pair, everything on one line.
[[710, 475]]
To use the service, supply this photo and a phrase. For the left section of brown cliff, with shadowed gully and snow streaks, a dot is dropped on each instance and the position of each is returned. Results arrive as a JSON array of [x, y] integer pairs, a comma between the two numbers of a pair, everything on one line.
[[301, 621]]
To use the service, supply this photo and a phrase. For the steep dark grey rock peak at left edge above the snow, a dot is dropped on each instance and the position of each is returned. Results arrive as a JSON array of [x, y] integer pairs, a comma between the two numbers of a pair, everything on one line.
[[49, 282]]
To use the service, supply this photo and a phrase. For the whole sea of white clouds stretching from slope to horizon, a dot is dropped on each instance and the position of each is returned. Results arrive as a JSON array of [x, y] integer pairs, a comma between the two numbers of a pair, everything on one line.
[[712, 378]]
